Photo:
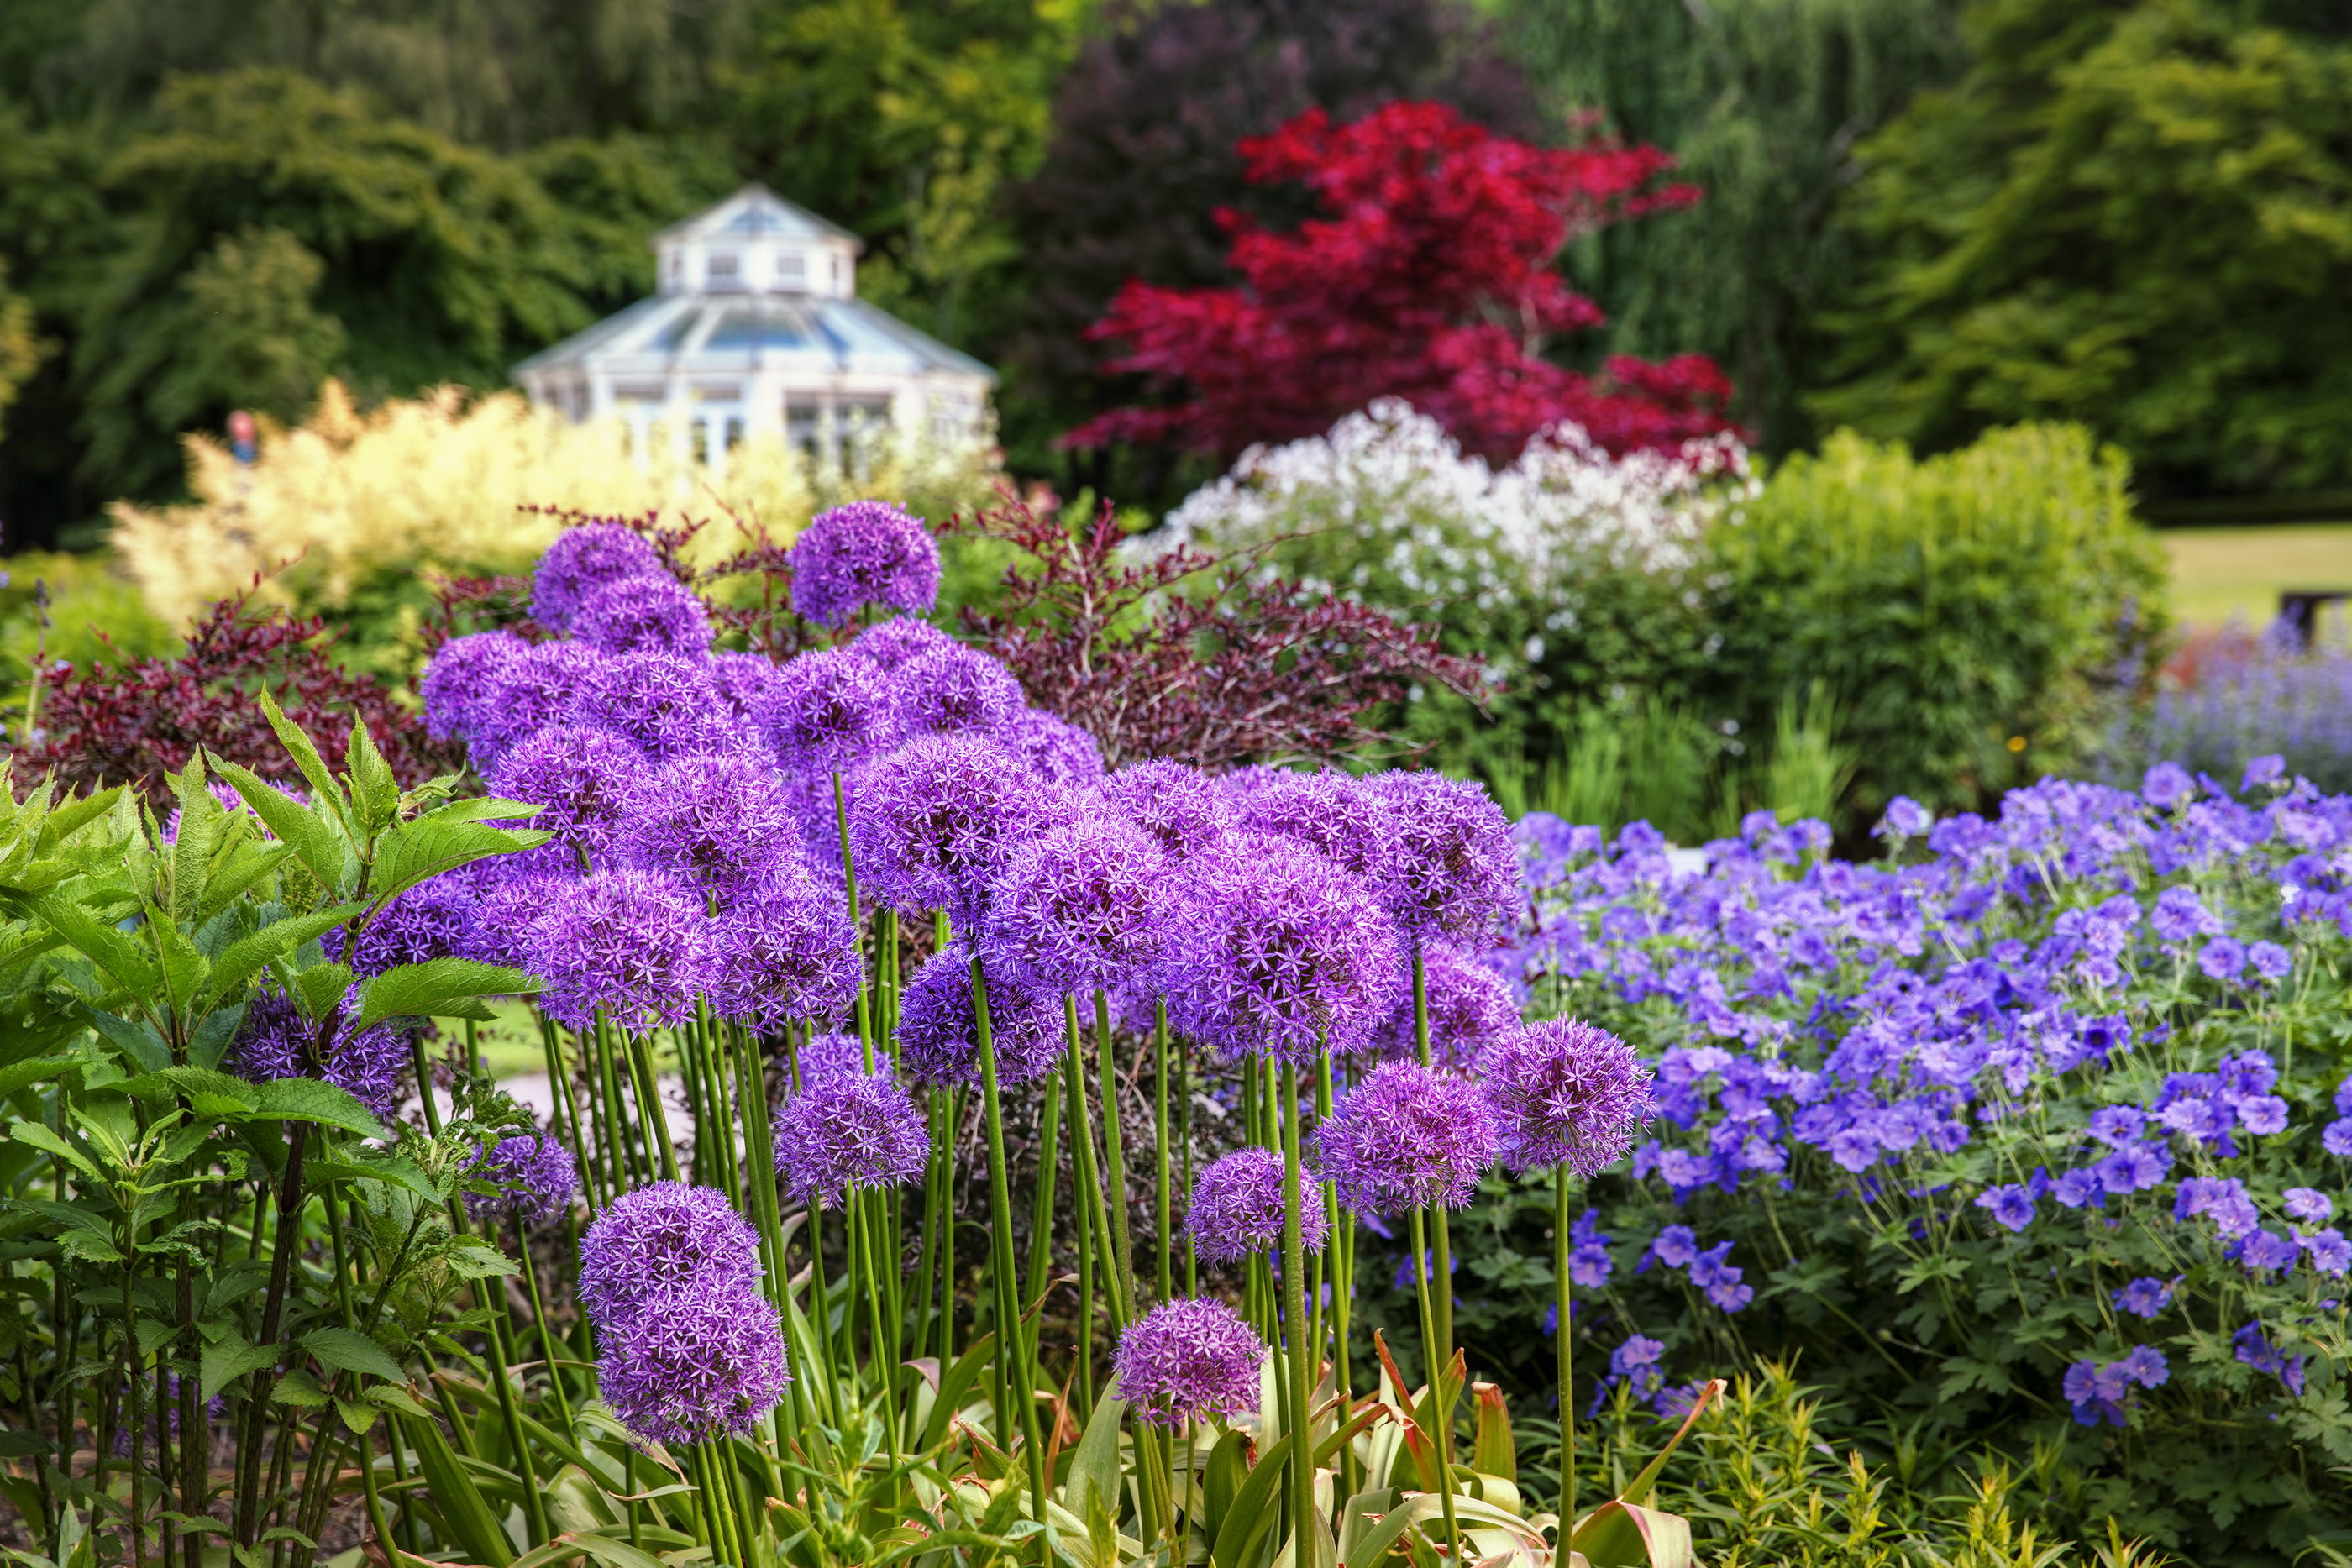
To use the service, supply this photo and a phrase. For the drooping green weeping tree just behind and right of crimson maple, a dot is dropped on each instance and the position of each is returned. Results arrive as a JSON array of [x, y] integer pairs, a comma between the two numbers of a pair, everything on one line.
[[1763, 100]]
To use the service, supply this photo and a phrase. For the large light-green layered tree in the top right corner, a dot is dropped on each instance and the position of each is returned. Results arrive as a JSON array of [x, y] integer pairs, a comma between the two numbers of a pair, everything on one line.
[[2134, 215]]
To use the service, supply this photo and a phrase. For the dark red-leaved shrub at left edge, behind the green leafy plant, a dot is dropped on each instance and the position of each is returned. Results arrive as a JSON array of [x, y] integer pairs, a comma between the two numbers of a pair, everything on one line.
[[135, 723]]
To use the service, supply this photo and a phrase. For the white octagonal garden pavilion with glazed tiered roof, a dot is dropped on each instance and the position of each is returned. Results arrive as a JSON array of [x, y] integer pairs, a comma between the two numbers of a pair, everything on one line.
[[756, 330]]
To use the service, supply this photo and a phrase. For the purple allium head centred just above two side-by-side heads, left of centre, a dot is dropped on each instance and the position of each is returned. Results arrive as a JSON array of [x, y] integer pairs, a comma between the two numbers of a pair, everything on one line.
[[711, 822]]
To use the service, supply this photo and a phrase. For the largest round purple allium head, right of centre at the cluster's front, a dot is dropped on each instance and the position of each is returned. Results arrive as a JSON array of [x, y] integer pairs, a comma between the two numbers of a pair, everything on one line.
[[1281, 953]]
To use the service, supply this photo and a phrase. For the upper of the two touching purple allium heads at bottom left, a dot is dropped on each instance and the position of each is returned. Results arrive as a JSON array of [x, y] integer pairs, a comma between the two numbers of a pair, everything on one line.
[[660, 1245]]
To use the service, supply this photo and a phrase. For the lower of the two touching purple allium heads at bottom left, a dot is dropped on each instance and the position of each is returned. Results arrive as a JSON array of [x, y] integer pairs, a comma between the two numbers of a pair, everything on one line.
[[707, 1365]]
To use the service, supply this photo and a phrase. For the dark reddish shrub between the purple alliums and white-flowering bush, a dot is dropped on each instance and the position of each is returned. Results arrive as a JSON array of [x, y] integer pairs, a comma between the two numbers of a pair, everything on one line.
[[1194, 659]]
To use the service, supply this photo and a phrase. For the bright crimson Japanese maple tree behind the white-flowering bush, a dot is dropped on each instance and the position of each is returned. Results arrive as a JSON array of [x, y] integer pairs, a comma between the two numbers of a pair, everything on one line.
[[1429, 281]]
